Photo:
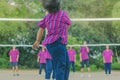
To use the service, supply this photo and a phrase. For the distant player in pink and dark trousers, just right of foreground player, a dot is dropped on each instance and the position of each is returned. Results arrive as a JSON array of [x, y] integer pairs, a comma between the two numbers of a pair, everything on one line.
[[72, 57]]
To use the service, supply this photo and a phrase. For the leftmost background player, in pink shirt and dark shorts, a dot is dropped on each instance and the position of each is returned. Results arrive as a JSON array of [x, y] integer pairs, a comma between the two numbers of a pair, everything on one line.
[[14, 58]]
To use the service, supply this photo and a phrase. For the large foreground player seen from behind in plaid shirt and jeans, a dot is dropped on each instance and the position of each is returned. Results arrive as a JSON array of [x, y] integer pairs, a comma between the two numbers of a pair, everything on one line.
[[57, 23]]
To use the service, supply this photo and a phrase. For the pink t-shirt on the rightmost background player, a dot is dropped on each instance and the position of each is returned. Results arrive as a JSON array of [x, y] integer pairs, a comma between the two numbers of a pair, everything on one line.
[[107, 54]]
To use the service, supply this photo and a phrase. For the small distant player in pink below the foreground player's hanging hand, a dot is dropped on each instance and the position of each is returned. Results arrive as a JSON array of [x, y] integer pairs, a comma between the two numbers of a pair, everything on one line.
[[42, 60]]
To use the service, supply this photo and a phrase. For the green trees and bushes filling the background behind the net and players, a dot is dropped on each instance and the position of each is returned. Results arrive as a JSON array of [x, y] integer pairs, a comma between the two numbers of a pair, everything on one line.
[[93, 32]]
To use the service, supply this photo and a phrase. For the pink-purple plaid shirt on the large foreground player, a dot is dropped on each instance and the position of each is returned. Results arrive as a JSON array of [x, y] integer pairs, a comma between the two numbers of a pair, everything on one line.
[[57, 25]]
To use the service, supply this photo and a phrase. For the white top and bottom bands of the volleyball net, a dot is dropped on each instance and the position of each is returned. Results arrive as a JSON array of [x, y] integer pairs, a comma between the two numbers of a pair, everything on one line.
[[73, 19]]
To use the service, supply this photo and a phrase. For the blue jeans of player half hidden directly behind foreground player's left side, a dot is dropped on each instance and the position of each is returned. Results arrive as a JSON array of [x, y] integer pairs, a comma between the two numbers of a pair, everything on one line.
[[49, 69]]
